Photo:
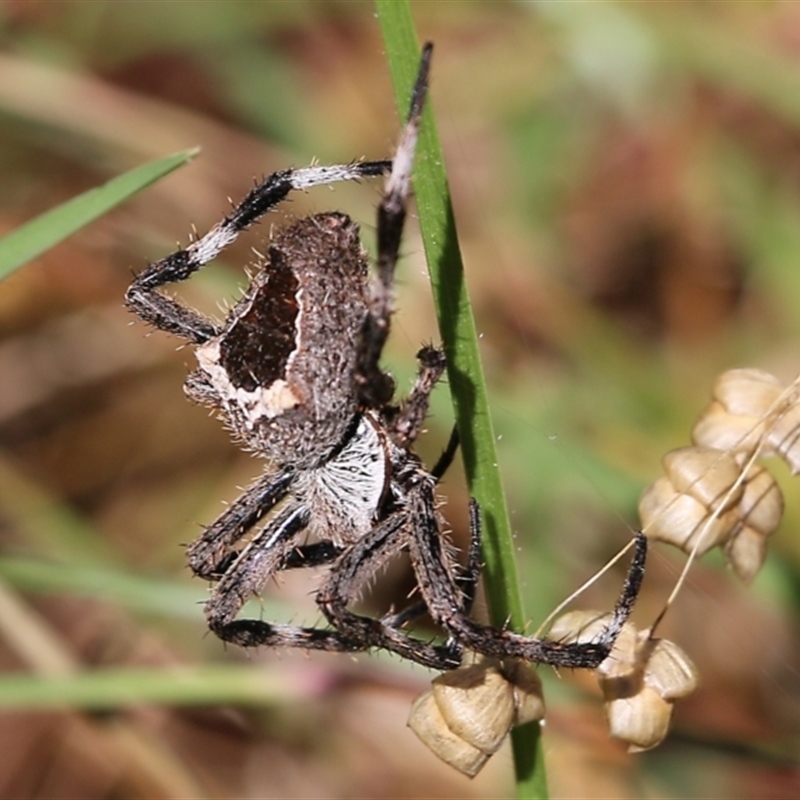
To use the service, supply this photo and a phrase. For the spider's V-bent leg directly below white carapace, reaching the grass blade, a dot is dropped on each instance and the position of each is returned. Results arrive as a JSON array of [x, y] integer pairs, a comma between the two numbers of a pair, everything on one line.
[[348, 577]]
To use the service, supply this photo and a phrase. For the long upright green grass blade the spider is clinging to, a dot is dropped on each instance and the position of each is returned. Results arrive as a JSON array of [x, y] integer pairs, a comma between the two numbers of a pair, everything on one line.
[[464, 370]]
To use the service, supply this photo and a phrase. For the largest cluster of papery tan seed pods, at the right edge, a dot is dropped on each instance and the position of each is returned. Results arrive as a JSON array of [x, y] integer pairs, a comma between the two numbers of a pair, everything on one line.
[[714, 493]]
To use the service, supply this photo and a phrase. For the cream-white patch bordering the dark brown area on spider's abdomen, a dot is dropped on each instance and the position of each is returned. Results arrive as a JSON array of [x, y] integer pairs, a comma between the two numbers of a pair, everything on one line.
[[263, 401]]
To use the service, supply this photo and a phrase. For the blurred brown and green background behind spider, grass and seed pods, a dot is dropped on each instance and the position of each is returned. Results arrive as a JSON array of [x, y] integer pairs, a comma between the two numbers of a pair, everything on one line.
[[626, 180]]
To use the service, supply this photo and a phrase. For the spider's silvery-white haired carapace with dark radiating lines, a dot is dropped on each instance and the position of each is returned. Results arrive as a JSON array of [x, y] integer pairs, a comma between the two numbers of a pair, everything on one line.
[[345, 492]]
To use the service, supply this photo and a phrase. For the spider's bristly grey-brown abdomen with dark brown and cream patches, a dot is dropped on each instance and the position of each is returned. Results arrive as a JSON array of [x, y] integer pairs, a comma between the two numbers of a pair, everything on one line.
[[272, 370]]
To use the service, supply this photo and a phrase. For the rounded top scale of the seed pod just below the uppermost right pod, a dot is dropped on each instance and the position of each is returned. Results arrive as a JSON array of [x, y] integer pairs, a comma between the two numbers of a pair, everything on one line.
[[705, 473]]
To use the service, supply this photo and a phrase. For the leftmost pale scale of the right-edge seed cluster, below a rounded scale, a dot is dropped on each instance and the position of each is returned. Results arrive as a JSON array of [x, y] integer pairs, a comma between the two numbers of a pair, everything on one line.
[[681, 520]]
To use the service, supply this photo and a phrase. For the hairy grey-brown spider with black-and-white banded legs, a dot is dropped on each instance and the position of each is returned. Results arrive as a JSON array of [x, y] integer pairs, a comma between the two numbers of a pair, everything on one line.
[[294, 372]]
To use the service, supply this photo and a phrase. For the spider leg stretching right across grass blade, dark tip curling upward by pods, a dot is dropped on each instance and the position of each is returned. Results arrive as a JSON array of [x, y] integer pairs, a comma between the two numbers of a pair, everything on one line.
[[446, 606]]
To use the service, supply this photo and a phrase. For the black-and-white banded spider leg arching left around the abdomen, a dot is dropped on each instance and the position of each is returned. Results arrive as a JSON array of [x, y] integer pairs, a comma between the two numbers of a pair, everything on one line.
[[167, 314]]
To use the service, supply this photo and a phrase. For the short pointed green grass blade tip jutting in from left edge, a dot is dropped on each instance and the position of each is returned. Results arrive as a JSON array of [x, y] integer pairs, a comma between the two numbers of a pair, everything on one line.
[[47, 230]]
